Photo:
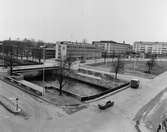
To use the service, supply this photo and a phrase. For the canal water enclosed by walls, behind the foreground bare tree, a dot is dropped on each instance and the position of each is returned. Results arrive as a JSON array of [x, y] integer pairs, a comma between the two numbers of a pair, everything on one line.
[[71, 85]]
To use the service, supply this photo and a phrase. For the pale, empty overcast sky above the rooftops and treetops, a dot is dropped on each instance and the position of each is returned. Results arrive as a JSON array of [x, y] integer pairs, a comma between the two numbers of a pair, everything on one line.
[[75, 20]]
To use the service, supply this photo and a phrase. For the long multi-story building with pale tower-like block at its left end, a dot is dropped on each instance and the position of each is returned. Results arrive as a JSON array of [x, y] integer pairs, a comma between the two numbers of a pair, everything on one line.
[[76, 50]]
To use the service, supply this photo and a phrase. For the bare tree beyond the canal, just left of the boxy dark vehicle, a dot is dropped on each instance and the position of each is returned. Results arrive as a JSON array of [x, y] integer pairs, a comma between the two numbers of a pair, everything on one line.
[[117, 66]]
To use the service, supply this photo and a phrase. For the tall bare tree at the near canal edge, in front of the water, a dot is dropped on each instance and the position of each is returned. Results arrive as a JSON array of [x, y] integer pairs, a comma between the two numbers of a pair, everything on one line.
[[63, 71]]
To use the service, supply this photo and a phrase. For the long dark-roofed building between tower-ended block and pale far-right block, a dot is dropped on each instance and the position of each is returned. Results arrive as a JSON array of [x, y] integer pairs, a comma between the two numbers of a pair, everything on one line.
[[112, 47]]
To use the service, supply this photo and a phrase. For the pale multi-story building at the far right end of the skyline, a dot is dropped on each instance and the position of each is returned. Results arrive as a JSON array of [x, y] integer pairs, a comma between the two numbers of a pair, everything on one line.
[[150, 47]]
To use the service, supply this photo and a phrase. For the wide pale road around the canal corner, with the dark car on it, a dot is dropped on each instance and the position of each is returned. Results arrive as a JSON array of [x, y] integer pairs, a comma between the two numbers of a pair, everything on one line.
[[43, 117]]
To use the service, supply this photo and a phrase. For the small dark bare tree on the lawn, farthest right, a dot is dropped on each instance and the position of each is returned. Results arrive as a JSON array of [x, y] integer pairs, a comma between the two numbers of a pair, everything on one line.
[[150, 64]]
